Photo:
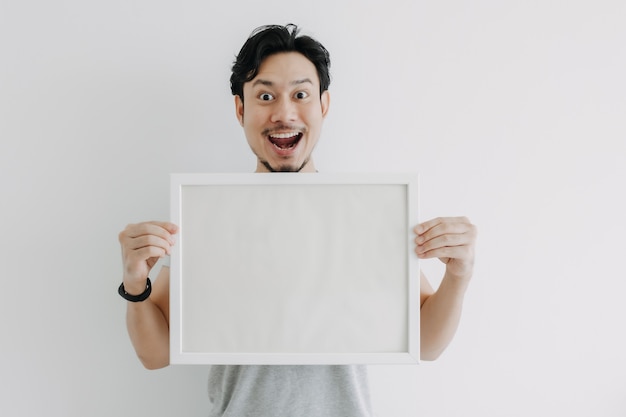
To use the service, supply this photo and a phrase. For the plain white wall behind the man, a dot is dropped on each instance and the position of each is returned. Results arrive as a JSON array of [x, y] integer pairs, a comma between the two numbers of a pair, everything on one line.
[[513, 113]]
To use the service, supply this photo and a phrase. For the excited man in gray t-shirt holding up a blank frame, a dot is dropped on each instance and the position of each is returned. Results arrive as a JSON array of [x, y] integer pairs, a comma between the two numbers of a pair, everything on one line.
[[280, 83]]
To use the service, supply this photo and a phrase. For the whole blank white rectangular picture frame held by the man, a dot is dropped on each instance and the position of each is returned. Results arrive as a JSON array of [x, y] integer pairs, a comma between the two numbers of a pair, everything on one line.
[[289, 268]]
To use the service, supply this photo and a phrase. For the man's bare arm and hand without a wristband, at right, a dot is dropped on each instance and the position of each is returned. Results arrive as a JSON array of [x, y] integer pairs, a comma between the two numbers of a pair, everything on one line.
[[452, 240]]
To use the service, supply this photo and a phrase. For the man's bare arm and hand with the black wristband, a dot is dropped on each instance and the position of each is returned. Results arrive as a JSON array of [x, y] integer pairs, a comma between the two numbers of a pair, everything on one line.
[[148, 321]]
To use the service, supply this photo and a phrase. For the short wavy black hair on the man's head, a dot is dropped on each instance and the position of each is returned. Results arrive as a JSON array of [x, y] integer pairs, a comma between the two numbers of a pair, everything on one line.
[[272, 39]]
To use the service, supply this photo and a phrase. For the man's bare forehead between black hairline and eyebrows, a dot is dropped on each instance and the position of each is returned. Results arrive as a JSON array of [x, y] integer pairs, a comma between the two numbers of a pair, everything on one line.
[[284, 69]]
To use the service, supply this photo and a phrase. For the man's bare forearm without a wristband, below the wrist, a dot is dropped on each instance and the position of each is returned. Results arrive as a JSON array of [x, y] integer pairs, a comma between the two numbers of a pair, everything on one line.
[[440, 315]]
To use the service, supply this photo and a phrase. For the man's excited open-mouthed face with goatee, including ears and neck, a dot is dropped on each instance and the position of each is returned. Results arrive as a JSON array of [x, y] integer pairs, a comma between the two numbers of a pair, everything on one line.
[[283, 113]]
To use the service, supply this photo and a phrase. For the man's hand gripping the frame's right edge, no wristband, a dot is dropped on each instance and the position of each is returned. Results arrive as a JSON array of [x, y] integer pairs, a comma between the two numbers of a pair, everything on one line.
[[452, 240]]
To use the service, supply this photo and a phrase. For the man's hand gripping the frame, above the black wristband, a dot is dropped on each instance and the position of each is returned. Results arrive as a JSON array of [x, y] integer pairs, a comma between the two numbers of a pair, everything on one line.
[[142, 246]]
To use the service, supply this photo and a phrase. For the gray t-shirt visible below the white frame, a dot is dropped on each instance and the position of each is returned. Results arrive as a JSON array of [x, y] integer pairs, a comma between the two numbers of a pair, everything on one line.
[[289, 391]]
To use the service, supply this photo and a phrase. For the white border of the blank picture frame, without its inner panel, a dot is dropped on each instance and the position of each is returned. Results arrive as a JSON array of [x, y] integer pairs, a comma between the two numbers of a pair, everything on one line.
[[178, 356]]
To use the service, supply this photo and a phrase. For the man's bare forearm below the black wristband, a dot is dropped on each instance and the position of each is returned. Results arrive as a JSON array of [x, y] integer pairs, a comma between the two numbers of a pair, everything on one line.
[[149, 333]]
